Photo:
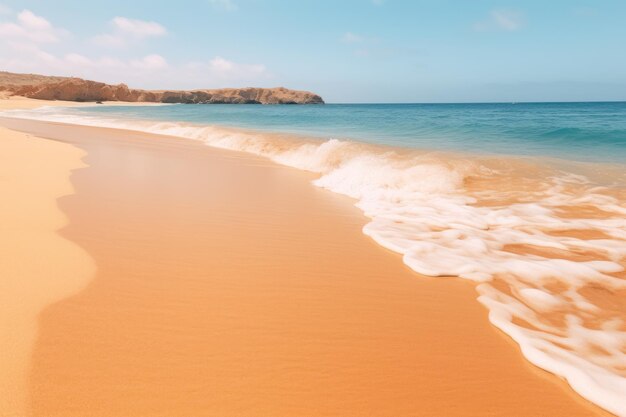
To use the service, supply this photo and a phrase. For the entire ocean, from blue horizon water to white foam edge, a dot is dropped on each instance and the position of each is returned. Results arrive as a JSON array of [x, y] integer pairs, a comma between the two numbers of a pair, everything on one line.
[[528, 200]]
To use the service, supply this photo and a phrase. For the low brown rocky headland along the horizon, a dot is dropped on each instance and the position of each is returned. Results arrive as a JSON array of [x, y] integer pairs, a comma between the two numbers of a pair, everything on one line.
[[77, 89]]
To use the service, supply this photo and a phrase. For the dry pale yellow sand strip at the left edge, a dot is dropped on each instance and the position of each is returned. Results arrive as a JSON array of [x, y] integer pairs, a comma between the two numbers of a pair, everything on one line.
[[37, 265]]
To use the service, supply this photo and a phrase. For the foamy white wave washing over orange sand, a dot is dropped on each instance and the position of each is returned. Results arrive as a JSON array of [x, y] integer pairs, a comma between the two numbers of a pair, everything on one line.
[[546, 247]]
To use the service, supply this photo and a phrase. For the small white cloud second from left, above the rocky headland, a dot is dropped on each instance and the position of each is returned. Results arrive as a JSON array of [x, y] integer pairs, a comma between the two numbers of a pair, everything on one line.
[[126, 31]]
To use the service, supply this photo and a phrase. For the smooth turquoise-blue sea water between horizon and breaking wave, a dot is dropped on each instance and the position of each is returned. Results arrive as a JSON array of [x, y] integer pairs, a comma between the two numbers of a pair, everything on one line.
[[575, 131]]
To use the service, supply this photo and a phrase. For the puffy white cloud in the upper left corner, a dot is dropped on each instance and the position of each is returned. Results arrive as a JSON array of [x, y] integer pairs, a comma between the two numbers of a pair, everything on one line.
[[30, 28]]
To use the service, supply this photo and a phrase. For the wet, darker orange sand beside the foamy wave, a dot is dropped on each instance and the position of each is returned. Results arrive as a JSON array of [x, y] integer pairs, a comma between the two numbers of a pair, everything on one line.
[[228, 285]]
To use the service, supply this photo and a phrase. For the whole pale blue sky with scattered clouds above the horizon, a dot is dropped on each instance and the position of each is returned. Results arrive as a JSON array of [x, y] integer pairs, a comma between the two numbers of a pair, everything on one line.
[[348, 51]]
